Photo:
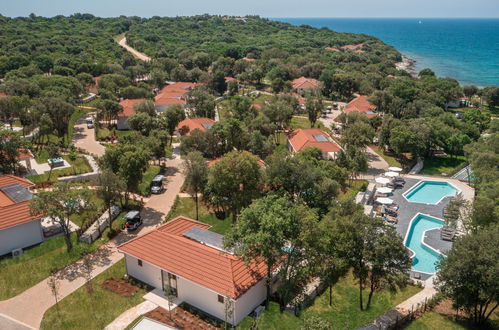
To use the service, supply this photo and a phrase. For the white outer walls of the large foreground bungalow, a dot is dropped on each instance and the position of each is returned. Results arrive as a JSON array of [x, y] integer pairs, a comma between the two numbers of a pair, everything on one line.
[[197, 295]]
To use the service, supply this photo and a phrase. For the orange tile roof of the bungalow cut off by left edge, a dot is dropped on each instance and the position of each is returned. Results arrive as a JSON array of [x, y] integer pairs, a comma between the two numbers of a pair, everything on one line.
[[12, 213]]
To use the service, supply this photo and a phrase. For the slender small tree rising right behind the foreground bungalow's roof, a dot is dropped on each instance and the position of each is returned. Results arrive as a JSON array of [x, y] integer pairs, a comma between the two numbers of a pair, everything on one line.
[[196, 176]]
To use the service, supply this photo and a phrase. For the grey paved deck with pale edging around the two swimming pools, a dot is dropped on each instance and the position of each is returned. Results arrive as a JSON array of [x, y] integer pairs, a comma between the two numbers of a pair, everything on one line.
[[407, 210]]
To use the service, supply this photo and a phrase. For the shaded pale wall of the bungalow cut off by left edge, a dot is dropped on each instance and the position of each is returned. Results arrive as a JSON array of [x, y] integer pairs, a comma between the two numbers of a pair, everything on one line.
[[20, 236]]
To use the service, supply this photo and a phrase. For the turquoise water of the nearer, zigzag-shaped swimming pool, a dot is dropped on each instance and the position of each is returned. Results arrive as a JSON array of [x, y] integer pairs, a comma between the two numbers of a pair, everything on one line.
[[425, 258]]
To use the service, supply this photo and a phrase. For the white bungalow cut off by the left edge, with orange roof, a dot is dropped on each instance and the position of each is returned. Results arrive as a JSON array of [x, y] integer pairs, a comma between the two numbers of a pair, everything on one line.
[[18, 228]]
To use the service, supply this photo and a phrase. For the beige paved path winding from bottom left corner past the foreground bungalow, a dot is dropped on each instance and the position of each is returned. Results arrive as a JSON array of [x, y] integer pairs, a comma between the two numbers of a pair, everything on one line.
[[28, 307]]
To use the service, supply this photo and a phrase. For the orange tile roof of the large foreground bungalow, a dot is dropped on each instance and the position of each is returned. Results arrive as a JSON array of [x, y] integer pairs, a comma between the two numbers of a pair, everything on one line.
[[167, 249]]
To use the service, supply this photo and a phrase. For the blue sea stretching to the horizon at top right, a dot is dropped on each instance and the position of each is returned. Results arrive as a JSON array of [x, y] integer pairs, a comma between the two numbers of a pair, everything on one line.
[[463, 49]]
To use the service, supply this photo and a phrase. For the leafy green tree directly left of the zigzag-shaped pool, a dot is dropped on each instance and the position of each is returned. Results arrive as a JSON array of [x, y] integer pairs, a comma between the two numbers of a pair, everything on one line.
[[375, 252]]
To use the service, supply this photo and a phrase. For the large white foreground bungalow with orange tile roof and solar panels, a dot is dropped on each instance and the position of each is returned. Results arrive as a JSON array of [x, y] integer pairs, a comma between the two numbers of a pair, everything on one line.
[[186, 260]]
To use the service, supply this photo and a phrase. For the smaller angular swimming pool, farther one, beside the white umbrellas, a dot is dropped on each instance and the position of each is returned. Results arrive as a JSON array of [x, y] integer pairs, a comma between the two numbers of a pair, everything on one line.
[[430, 192]]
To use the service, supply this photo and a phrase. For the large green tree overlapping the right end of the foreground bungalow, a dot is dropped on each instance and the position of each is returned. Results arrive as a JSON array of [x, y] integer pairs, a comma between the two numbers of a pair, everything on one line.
[[269, 230]]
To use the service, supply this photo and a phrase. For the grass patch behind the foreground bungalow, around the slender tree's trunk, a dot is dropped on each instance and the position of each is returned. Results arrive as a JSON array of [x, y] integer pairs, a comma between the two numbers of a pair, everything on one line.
[[186, 206]]
